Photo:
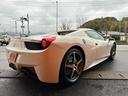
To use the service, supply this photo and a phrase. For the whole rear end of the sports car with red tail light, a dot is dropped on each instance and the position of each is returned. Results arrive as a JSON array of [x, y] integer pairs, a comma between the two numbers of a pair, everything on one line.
[[35, 55]]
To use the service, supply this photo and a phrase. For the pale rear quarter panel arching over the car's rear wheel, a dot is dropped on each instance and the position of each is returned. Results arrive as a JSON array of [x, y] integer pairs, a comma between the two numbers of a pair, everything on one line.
[[66, 42]]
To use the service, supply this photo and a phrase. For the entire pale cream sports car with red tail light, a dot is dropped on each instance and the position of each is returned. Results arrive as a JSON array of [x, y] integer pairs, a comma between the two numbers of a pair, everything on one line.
[[60, 57]]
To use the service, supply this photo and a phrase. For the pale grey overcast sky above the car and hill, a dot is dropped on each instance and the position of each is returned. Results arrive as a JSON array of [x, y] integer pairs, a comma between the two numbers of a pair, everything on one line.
[[43, 12]]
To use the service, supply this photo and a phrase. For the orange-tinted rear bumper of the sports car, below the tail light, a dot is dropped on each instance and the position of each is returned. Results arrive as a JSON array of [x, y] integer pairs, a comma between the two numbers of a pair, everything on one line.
[[46, 65]]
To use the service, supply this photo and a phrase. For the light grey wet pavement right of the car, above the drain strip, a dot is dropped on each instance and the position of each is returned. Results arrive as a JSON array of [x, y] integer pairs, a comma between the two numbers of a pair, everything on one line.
[[120, 63]]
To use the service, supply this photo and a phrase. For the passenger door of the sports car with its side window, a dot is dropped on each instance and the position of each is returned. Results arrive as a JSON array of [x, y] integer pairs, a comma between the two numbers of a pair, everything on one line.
[[100, 43]]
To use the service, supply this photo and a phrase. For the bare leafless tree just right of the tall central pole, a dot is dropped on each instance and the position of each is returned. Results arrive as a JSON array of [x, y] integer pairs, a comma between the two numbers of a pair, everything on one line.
[[65, 25]]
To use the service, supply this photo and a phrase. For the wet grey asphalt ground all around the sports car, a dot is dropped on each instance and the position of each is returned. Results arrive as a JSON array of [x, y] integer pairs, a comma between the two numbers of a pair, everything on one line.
[[24, 86]]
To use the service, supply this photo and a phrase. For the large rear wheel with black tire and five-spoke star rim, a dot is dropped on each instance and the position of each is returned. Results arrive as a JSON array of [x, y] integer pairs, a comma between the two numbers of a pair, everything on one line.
[[71, 67]]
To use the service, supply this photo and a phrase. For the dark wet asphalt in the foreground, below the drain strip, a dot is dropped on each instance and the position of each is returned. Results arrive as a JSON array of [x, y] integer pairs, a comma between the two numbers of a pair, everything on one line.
[[27, 87]]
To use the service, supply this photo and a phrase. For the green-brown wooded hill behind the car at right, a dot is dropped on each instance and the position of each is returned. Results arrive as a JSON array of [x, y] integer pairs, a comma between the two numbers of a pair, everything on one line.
[[107, 24]]
